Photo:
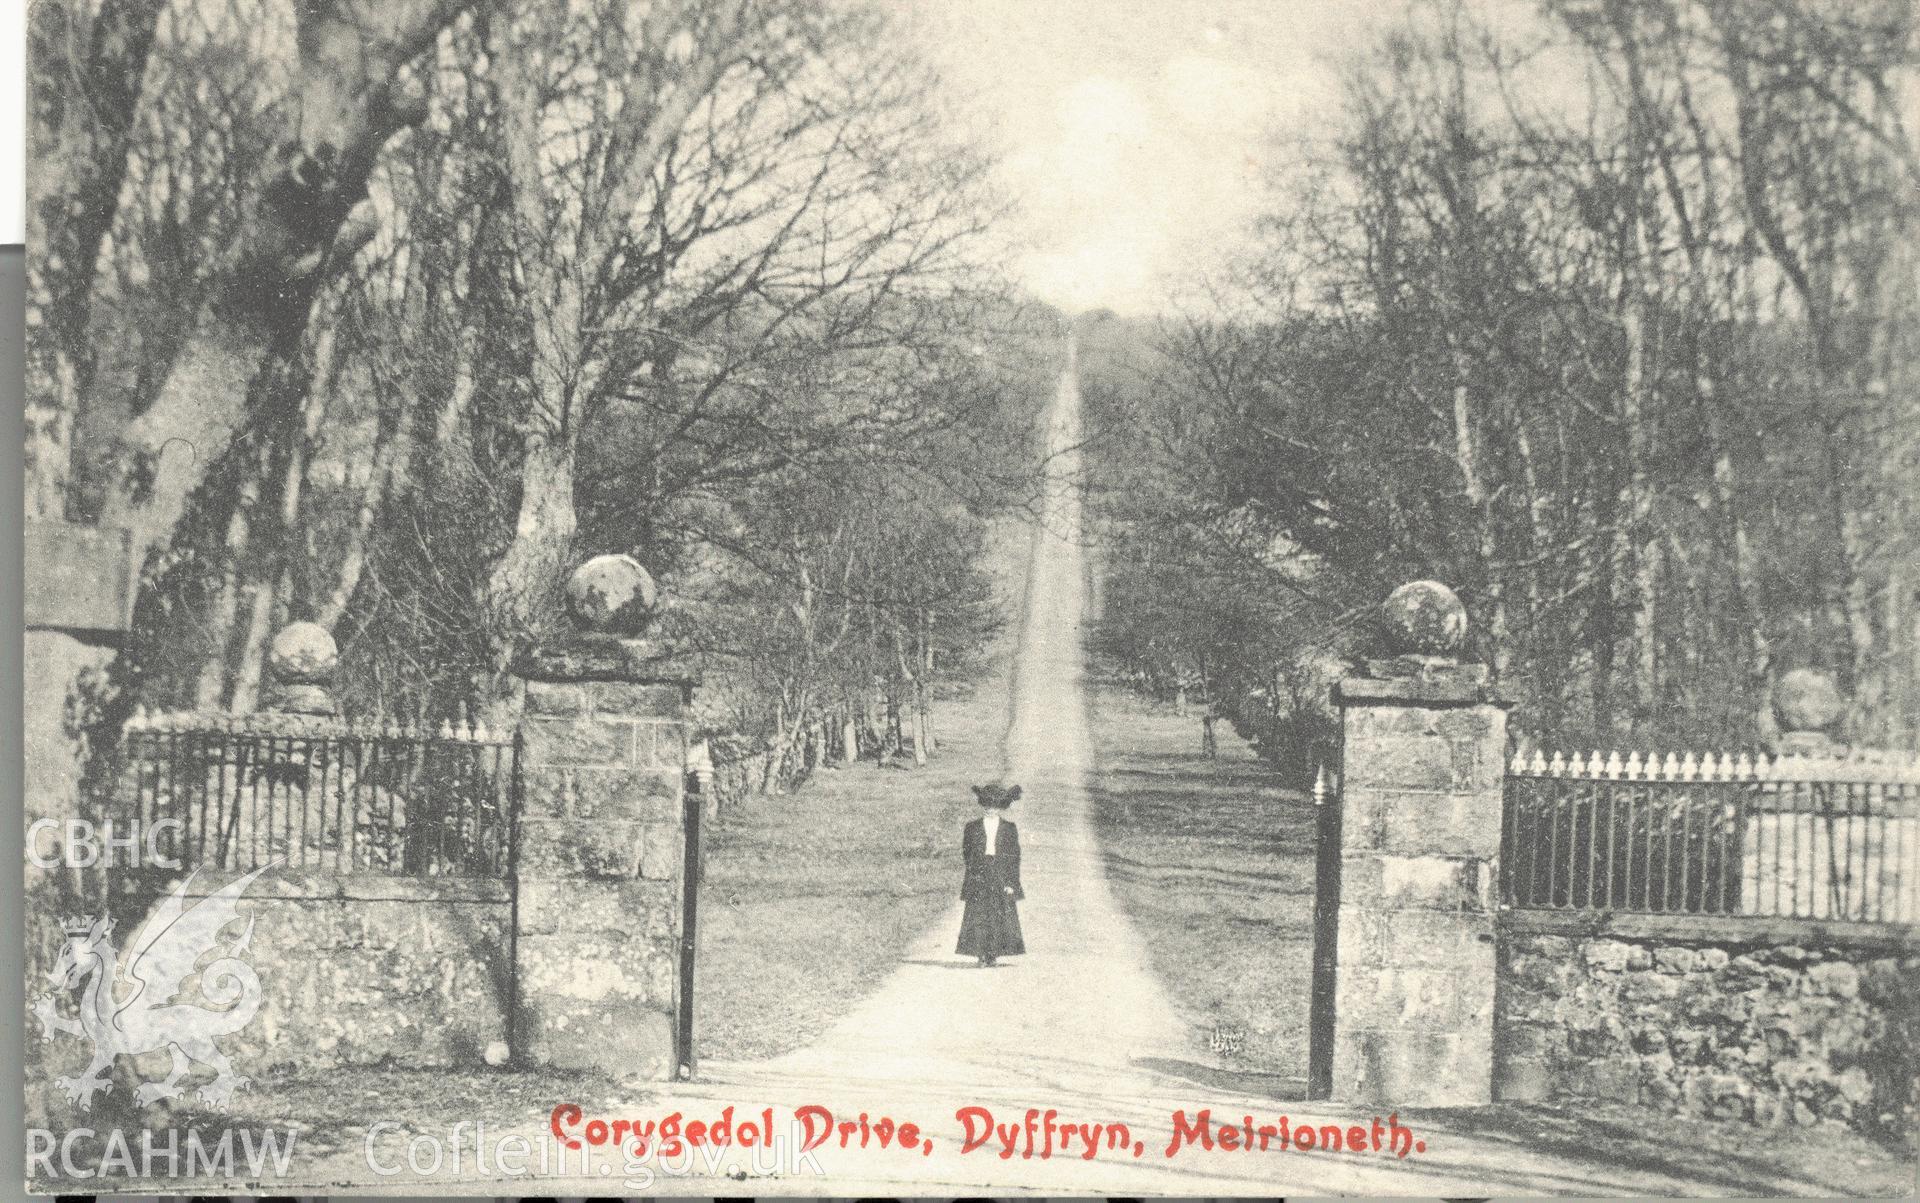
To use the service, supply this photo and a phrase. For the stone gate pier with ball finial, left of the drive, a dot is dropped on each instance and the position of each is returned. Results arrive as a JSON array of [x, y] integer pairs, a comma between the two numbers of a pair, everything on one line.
[[600, 868]]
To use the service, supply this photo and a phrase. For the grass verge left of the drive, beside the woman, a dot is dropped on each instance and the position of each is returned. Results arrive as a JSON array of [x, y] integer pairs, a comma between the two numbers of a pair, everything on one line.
[[811, 899]]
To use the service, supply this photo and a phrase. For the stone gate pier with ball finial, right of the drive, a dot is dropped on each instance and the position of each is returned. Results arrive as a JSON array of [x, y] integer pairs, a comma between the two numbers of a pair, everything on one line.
[[1404, 945]]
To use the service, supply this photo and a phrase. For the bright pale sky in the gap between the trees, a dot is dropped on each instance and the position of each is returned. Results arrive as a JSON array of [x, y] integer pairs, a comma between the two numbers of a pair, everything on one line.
[[1136, 133]]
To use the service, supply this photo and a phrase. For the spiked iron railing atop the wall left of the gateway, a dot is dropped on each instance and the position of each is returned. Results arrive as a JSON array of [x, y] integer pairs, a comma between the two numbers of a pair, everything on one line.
[[312, 793]]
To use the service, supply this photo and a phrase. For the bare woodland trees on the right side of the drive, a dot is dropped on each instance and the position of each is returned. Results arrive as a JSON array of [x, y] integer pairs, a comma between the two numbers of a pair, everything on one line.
[[1610, 325]]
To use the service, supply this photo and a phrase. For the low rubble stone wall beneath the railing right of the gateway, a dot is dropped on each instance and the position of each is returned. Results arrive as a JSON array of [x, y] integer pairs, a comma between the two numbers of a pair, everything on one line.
[[1719, 1018]]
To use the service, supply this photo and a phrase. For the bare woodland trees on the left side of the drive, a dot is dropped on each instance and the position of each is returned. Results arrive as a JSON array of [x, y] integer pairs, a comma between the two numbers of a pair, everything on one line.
[[385, 314]]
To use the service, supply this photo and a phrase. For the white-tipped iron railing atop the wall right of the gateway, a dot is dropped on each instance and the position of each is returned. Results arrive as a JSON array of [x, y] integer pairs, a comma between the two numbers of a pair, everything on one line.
[[1716, 836]]
